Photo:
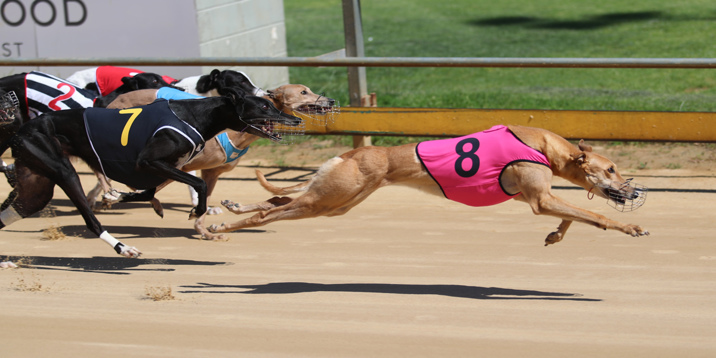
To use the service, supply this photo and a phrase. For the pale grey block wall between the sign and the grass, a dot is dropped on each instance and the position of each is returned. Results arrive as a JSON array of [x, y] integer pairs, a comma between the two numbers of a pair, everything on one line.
[[244, 28]]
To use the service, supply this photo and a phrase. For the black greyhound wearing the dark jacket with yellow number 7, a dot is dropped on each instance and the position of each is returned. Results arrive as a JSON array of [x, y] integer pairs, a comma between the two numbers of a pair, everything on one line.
[[41, 148]]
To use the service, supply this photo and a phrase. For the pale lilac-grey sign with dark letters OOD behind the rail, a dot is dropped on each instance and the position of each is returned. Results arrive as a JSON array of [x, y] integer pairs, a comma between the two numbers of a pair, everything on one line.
[[99, 29]]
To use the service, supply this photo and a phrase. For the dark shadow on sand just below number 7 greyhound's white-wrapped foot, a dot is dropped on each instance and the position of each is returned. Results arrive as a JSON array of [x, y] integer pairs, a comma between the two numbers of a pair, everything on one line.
[[105, 265]]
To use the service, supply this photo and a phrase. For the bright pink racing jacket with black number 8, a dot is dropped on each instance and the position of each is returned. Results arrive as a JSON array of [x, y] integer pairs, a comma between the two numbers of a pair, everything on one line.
[[468, 168]]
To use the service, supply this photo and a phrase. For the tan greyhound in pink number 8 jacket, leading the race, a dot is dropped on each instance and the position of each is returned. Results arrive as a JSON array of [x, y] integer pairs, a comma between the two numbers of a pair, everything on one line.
[[343, 182]]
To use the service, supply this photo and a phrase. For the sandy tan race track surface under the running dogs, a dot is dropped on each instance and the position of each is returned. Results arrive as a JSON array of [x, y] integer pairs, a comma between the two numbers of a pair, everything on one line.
[[402, 275]]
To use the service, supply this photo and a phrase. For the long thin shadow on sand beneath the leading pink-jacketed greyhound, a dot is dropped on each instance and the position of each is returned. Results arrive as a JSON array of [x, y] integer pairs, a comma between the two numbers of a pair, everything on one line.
[[459, 291]]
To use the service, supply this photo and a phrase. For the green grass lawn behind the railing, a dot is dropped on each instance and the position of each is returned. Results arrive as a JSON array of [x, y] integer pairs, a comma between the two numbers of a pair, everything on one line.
[[511, 28]]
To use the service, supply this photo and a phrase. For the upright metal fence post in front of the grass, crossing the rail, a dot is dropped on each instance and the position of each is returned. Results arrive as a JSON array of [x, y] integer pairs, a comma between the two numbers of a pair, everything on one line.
[[357, 83]]
